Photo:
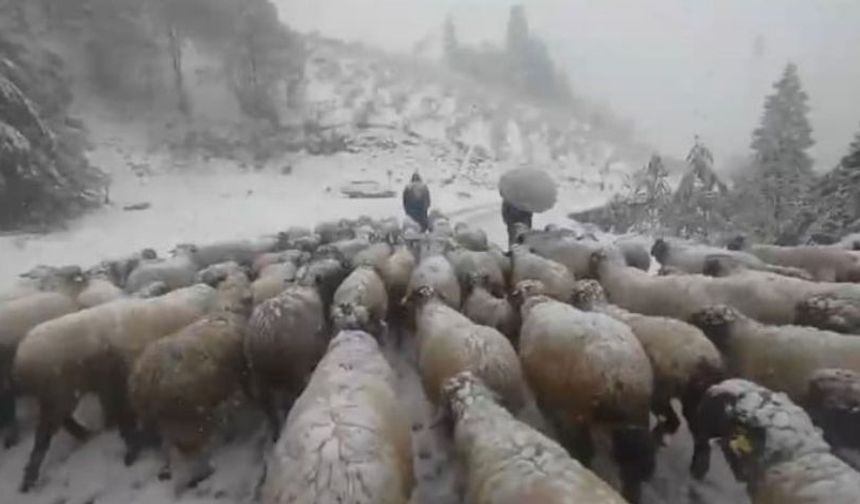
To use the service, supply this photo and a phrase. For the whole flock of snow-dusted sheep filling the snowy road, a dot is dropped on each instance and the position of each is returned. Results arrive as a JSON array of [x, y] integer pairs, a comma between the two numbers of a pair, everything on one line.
[[295, 323]]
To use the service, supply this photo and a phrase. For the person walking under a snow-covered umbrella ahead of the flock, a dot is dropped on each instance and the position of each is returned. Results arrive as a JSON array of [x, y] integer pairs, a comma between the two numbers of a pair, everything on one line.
[[525, 191]]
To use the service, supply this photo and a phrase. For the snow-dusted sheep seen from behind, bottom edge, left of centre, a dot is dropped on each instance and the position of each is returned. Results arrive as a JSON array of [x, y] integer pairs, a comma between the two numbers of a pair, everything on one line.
[[347, 438]]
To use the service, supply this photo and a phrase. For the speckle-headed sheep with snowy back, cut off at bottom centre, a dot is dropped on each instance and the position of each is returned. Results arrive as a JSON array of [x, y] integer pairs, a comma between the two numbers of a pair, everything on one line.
[[508, 461]]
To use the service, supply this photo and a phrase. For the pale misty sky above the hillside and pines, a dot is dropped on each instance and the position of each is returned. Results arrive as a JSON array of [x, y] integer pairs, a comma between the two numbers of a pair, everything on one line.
[[676, 67]]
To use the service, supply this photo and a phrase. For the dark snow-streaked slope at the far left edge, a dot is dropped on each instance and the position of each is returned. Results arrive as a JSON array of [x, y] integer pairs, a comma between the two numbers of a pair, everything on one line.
[[44, 174]]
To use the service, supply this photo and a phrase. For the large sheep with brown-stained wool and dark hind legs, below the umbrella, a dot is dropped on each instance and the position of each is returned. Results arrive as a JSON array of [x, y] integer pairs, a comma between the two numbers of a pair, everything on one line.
[[587, 370]]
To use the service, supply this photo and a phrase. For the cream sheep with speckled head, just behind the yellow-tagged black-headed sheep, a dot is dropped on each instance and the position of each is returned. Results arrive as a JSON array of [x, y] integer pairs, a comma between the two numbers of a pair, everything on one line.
[[781, 358]]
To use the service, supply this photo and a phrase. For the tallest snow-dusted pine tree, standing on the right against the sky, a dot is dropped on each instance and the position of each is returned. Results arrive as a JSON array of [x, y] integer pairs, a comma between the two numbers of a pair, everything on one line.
[[783, 167]]
